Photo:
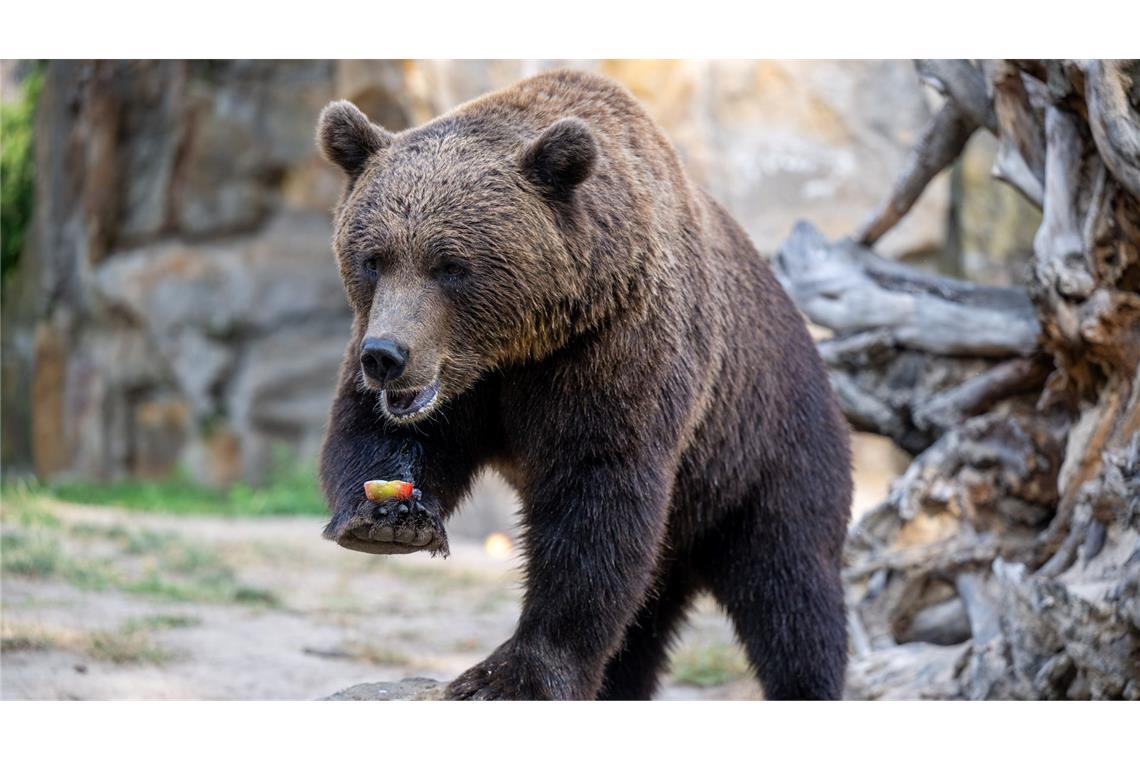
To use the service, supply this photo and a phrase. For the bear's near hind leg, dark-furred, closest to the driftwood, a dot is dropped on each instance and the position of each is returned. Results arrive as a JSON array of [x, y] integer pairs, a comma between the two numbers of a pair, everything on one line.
[[780, 585]]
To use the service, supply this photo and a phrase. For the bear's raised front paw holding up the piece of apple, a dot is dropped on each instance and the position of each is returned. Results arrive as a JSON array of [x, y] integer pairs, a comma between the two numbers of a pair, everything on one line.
[[389, 528]]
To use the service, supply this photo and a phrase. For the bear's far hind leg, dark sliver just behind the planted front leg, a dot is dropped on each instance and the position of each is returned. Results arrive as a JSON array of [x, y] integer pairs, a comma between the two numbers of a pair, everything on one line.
[[633, 672]]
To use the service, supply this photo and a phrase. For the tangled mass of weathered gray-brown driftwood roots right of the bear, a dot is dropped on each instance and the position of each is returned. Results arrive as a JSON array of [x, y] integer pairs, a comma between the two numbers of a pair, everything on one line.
[[1006, 561]]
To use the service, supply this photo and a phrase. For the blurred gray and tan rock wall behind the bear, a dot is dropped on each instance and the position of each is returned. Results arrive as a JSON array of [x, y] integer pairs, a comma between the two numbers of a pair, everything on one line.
[[178, 304]]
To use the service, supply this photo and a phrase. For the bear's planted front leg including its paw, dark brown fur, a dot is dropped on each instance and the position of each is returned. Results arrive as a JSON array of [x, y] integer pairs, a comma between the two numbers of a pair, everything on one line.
[[591, 558]]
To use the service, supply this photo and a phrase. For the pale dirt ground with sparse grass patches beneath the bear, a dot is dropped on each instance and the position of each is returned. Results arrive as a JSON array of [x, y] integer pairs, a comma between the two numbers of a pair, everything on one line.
[[100, 603]]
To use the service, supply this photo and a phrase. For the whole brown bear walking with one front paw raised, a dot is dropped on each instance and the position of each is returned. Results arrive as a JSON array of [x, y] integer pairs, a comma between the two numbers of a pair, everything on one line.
[[540, 289]]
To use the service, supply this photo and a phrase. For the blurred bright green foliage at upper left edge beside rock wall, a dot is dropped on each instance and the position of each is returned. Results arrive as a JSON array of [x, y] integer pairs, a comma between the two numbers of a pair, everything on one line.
[[18, 171]]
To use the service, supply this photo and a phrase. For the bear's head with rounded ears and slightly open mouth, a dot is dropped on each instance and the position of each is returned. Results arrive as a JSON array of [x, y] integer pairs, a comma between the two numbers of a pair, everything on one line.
[[455, 243]]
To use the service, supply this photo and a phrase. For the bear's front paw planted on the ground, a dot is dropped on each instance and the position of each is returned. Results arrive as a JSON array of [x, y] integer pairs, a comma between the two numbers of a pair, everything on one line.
[[518, 673]]
